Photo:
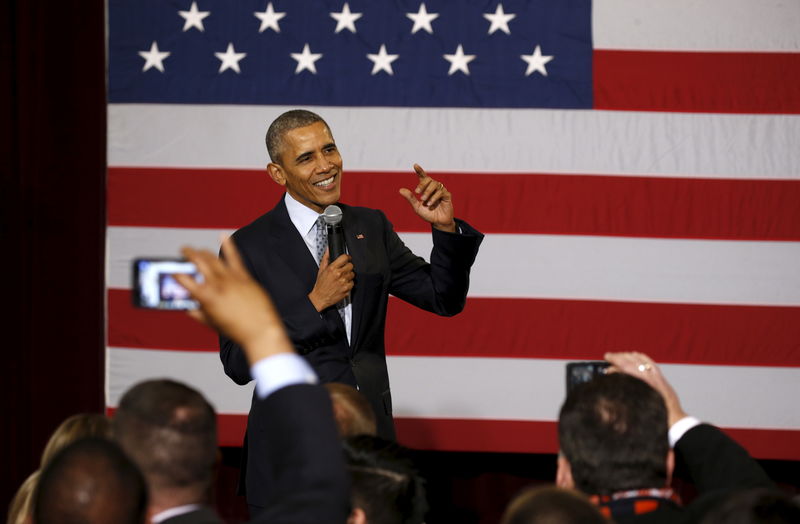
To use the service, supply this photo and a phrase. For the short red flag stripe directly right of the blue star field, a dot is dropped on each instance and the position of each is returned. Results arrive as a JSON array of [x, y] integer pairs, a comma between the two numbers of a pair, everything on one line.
[[706, 82]]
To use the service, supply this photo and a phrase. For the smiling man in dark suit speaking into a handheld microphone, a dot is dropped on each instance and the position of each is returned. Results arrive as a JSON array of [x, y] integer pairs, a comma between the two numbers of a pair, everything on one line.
[[344, 344]]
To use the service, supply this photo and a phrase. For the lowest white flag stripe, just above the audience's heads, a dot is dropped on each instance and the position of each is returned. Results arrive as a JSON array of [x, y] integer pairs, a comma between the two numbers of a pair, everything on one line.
[[490, 388]]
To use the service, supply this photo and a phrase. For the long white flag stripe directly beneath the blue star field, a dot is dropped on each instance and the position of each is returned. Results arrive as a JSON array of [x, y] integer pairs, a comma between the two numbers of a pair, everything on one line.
[[496, 140]]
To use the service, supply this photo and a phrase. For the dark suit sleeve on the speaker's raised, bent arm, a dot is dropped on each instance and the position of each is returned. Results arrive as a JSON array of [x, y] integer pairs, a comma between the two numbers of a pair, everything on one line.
[[442, 285]]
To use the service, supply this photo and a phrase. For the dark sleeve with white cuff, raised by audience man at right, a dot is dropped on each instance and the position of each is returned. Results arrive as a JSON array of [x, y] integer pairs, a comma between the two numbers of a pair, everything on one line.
[[714, 461]]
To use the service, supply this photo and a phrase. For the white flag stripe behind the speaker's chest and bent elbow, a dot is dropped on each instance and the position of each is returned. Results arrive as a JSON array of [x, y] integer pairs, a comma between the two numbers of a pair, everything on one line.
[[563, 267]]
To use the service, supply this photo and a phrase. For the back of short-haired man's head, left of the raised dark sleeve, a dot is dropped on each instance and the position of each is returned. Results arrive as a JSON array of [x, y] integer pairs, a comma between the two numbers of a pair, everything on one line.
[[170, 432]]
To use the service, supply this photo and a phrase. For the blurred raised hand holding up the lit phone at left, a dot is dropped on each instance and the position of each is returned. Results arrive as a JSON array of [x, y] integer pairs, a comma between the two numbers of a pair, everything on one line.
[[233, 303]]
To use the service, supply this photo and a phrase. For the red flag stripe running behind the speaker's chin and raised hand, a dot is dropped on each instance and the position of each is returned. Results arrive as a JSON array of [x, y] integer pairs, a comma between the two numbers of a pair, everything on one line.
[[495, 203]]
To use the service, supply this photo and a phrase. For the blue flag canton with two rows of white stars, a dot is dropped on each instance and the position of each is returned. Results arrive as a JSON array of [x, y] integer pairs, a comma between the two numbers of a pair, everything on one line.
[[357, 53]]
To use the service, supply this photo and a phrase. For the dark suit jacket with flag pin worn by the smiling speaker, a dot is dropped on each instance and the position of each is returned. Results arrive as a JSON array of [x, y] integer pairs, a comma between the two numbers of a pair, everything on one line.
[[278, 258]]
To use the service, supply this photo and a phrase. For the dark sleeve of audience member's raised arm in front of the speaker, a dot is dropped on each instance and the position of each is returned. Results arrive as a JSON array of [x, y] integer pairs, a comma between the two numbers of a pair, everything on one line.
[[304, 458]]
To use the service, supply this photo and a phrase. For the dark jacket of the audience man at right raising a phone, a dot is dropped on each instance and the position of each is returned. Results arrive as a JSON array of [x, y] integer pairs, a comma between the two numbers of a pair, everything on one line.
[[717, 466]]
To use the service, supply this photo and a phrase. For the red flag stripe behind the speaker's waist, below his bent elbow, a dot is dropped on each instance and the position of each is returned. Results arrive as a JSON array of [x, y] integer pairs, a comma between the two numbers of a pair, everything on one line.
[[530, 328]]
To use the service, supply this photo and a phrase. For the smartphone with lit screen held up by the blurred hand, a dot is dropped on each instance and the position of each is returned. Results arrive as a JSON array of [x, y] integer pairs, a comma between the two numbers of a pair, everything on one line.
[[154, 286]]
